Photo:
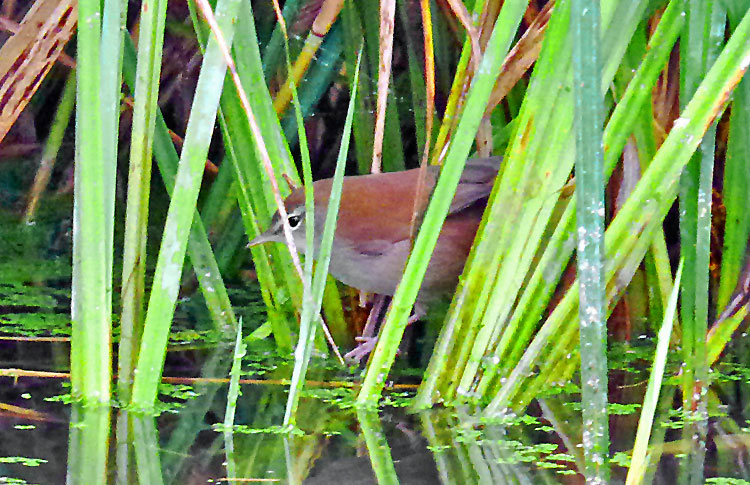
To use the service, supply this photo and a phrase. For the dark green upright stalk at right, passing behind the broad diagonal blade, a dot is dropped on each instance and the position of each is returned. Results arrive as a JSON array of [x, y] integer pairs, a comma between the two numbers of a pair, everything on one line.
[[703, 35]]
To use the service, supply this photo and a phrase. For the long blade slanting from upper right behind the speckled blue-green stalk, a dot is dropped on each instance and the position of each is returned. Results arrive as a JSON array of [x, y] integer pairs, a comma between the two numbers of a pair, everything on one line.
[[653, 195]]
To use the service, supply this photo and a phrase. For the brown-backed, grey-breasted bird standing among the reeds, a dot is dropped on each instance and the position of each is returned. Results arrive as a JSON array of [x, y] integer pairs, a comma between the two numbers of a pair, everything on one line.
[[373, 233]]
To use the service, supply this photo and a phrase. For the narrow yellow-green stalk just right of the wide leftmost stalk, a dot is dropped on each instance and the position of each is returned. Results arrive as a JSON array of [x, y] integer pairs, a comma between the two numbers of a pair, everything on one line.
[[150, 42]]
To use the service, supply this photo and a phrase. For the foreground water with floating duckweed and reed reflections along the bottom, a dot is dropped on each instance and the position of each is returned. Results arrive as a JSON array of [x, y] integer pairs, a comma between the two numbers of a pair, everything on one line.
[[188, 444]]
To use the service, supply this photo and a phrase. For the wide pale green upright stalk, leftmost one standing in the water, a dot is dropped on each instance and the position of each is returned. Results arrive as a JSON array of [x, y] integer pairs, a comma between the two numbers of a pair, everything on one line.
[[91, 309]]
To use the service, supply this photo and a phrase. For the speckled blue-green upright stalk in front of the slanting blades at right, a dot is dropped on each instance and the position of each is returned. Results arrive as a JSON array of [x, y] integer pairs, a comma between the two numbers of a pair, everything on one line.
[[589, 110]]
